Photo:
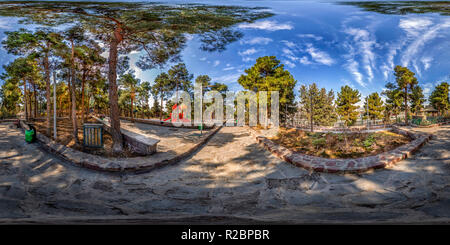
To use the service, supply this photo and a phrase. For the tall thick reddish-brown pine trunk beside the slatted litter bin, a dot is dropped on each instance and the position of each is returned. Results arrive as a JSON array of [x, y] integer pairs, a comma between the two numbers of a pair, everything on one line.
[[113, 95]]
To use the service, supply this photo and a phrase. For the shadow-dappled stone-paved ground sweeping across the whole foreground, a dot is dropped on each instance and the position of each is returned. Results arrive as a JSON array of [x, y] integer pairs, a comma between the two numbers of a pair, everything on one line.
[[229, 180]]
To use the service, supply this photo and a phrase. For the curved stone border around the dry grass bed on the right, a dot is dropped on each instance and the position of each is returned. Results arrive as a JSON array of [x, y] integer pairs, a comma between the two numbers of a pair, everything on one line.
[[354, 165]]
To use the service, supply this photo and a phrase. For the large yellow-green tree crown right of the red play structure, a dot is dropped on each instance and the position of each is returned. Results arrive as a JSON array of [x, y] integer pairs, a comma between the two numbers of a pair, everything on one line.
[[268, 74]]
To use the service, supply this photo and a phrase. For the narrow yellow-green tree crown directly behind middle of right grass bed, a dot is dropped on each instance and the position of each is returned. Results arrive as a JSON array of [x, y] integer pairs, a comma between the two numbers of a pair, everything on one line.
[[345, 103]]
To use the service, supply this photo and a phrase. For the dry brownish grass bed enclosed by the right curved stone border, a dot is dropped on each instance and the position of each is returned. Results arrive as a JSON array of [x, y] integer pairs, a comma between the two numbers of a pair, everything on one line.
[[333, 145]]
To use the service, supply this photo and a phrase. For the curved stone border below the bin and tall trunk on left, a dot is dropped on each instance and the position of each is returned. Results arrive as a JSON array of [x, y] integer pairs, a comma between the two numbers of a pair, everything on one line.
[[121, 165]]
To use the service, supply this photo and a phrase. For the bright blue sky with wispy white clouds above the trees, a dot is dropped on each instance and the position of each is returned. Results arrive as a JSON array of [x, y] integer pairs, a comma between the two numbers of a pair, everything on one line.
[[322, 42]]
